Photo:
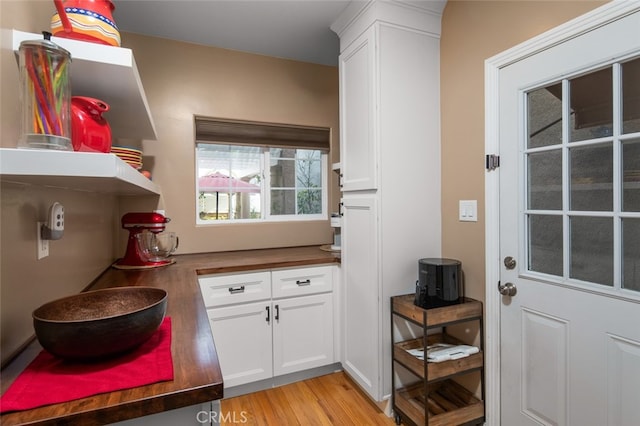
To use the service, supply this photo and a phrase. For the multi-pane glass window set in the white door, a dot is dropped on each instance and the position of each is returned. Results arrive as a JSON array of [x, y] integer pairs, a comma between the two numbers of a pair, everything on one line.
[[582, 158]]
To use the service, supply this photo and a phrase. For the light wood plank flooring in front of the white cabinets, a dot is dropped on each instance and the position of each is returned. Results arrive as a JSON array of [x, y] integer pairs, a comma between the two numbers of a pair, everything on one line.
[[327, 400]]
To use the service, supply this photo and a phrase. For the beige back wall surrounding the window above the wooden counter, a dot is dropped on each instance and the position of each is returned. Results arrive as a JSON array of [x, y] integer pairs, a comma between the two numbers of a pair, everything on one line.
[[183, 79]]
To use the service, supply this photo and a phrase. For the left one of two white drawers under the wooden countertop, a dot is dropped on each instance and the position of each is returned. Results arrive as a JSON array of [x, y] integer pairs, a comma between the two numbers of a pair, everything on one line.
[[218, 290]]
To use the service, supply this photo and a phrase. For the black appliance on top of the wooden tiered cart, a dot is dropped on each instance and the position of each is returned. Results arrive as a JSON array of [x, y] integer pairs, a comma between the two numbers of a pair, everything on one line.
[[439, 283]]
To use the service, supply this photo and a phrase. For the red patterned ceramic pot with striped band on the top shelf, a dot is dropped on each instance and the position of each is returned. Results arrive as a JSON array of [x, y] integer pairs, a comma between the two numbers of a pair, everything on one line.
[[88, 20]]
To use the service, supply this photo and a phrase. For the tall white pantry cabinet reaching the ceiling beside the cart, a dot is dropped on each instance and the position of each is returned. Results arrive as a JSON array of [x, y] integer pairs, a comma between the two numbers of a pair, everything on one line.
[[390, 164]]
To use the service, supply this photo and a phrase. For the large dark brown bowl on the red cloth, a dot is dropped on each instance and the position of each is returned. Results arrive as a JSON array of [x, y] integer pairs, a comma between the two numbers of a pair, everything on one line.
[[100, 323]]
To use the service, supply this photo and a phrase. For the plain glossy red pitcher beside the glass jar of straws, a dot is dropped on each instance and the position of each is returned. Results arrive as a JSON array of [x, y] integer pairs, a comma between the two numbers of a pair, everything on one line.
[[90, 132]]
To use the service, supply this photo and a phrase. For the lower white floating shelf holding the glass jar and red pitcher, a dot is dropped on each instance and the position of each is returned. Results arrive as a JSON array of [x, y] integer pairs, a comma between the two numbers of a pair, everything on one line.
[[84, 171]]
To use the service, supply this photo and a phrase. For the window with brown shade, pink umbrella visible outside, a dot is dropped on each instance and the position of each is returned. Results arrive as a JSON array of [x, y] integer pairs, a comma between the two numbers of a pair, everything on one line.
[[248, 171]]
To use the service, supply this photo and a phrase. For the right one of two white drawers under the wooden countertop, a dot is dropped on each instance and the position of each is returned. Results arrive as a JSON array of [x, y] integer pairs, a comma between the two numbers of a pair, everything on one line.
[[301, 281]]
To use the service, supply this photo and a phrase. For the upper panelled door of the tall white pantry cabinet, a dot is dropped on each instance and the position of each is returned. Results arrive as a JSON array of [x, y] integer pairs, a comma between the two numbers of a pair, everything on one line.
[[357, 107]]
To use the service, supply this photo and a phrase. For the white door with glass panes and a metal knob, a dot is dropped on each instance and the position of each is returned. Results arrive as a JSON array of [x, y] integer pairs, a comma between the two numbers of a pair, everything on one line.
[[569, 140]]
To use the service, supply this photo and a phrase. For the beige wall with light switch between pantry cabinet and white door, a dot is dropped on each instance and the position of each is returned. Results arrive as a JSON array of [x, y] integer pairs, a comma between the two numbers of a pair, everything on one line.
[[473, 31]]
